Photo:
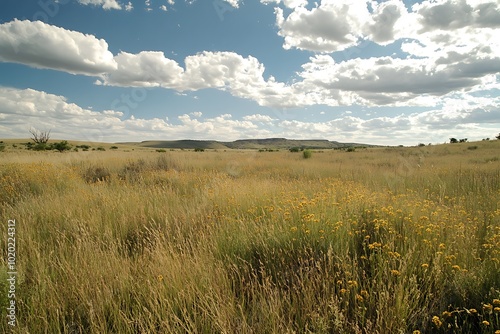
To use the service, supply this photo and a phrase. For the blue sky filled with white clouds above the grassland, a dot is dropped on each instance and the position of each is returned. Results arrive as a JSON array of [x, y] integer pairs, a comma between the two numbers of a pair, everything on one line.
[[376, 72]]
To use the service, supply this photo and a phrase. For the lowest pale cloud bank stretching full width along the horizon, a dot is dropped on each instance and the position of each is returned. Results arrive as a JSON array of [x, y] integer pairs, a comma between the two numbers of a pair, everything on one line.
[[463, 115]]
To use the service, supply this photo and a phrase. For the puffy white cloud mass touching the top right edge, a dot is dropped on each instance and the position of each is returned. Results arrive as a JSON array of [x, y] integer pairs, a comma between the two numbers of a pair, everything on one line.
[[333, 26]]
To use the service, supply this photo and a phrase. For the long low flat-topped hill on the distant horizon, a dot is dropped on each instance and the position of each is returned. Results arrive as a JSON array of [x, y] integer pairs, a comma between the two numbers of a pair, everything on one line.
[[268, 143]]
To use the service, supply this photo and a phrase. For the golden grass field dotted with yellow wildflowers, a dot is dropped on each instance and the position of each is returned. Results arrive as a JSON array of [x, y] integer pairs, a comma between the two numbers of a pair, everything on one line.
[[379, 240]]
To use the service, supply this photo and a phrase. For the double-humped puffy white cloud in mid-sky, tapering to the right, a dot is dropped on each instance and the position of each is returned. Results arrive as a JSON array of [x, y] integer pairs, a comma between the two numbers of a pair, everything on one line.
[[229, 71]]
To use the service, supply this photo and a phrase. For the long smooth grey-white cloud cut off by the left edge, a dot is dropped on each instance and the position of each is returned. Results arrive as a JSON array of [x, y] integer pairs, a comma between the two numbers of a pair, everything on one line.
[[46, 46]]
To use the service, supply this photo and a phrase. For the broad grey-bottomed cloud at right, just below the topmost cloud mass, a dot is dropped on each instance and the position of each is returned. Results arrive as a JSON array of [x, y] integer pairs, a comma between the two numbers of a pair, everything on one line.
[[389, 81]]
